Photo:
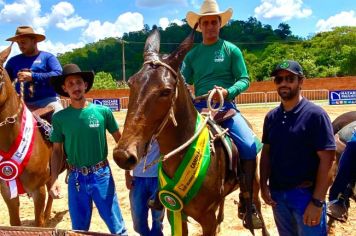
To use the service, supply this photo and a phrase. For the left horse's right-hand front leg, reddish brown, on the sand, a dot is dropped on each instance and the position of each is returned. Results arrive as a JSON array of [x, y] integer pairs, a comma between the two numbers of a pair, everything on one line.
[[39, 199]]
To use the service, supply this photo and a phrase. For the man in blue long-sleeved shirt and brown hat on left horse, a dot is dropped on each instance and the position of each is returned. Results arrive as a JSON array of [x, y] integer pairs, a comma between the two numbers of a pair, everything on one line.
[[34, 68]]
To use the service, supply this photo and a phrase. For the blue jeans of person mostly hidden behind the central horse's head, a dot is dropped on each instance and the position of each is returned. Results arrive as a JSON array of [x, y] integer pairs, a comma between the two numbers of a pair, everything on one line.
[[143, 189]]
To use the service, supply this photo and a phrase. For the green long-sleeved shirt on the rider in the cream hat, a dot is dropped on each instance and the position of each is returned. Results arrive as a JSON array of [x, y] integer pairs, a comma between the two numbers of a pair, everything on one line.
[[220, 64]]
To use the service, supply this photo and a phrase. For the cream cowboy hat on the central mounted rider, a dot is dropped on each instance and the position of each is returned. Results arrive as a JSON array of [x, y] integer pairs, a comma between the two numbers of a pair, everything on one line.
[[208, 8]]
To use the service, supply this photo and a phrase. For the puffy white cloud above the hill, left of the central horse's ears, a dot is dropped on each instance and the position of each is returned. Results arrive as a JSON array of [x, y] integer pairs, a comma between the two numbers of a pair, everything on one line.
[[127, 22]]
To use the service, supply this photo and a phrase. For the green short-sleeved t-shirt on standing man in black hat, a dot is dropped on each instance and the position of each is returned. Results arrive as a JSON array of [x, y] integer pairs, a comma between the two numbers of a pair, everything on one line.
[[83, 133]]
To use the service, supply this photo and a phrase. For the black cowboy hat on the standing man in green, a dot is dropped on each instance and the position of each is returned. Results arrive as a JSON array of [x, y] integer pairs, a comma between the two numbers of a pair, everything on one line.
[[71, 69]]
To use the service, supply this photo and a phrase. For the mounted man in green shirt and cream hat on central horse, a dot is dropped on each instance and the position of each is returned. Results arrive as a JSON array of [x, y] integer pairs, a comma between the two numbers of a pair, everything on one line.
[[216, 63]]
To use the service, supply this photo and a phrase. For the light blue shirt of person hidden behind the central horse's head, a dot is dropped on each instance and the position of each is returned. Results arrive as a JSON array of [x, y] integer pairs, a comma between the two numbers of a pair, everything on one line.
[[152, 155]]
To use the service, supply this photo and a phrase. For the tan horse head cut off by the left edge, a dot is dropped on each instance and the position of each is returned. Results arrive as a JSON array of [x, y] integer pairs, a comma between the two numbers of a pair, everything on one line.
[[6, 89]]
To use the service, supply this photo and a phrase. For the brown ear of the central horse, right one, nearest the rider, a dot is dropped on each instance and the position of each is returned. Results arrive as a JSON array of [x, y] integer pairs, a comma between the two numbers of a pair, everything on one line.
[[176, 57]]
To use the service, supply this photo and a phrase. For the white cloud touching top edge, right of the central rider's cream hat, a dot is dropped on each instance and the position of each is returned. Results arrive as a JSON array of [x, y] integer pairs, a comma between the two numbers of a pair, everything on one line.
[[283, 9]]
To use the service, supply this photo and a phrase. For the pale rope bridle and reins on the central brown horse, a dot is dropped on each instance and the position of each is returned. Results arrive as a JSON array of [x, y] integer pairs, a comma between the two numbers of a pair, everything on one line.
[[170, 115]]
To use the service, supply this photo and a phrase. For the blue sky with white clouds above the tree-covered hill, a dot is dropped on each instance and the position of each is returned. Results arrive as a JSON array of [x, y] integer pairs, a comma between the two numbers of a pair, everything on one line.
[[72, 24]]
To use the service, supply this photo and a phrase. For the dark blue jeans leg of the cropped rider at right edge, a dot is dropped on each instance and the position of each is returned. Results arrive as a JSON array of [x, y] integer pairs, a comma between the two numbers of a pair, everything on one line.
[[346, 171]]
